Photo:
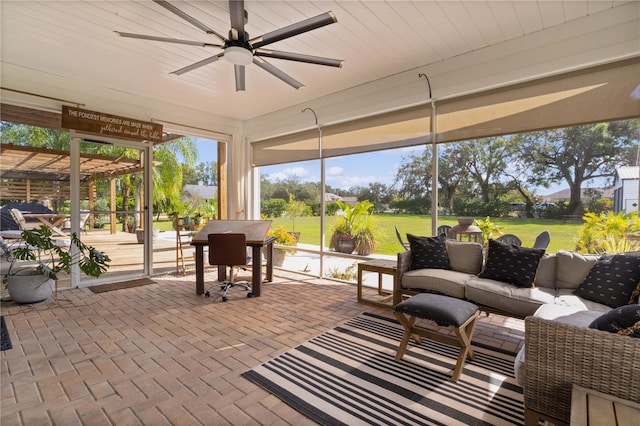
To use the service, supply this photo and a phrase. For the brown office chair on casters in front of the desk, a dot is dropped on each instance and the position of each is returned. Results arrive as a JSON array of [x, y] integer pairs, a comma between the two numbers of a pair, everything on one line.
[[229, 249]]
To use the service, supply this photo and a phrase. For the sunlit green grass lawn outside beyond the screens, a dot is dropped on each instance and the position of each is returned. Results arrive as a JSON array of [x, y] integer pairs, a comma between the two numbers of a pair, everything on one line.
[[563, 235]]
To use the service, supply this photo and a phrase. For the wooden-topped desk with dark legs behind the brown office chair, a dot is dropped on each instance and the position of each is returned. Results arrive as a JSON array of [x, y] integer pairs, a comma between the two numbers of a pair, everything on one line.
[[256, 234]]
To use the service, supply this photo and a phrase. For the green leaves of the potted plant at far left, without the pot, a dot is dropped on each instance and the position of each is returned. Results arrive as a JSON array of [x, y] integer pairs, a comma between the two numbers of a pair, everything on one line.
[[40, 249]]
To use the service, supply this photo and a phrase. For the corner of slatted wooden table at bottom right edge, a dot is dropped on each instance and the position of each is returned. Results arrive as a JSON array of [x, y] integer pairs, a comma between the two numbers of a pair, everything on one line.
[[590, 408]]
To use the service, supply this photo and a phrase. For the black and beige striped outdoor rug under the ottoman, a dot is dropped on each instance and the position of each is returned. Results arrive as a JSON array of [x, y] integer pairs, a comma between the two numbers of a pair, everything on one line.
[[349, 376]]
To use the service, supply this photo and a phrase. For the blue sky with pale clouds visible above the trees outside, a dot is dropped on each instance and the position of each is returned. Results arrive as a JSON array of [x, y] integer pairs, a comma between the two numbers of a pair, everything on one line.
[[346, 171]]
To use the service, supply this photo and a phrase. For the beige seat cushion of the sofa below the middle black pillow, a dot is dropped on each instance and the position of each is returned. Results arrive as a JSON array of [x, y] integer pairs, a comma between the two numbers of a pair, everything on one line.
[[518, 301]]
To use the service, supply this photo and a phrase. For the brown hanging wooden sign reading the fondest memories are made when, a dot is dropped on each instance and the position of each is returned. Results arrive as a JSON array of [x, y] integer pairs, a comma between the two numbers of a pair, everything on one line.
[[110, 125]]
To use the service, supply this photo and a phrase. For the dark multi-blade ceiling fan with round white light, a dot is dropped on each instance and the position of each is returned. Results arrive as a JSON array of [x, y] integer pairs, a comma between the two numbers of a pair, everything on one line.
[[241, 50]]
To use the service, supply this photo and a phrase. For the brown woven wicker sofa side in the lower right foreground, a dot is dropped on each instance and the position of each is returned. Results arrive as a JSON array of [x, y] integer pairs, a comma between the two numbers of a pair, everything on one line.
[[559, 356]]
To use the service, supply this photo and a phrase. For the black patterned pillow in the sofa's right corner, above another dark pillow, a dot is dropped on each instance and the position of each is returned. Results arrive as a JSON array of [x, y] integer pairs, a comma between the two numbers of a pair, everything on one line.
[[612, 280]]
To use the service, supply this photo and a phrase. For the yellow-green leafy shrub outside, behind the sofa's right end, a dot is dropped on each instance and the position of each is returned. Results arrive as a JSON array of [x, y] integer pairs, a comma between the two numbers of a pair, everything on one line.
[[609, 232]]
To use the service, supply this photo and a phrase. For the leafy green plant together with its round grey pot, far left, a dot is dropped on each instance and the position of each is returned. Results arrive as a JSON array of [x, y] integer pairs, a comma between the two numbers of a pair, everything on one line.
[[35, 264]]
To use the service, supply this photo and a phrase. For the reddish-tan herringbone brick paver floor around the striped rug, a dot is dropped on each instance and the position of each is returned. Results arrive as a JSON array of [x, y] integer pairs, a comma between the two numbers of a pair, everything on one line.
[[160, 355]]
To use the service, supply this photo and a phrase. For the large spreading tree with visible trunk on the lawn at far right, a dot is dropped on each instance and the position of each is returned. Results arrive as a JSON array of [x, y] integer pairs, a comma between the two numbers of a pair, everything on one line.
[[577, 154]]
